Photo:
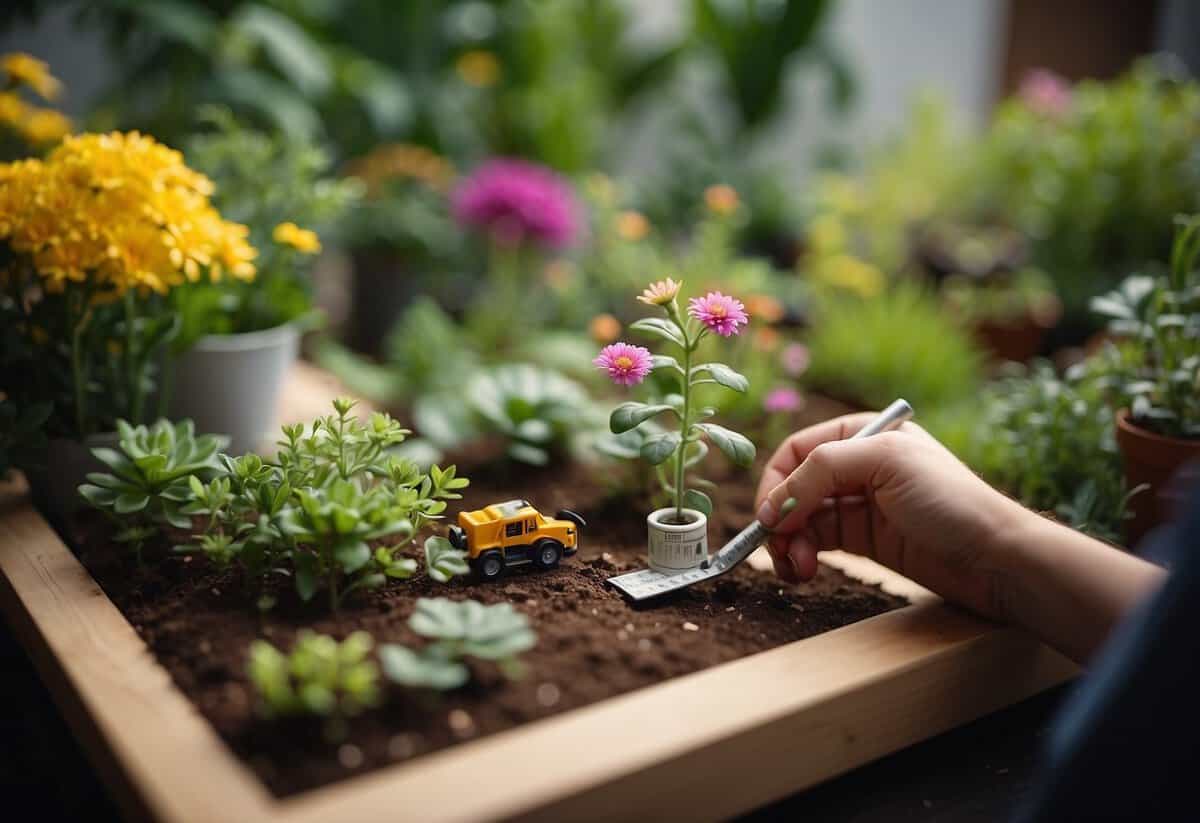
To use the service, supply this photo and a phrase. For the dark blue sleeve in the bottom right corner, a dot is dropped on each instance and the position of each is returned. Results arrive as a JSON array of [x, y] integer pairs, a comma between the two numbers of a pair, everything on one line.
[[1127, 744]]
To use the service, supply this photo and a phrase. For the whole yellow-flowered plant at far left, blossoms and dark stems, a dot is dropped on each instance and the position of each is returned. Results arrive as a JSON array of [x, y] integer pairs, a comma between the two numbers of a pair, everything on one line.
[[94, 241]]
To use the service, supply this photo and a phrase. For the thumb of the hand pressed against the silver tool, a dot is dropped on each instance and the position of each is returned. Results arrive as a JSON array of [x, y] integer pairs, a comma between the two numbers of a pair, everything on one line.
[[833, 468]]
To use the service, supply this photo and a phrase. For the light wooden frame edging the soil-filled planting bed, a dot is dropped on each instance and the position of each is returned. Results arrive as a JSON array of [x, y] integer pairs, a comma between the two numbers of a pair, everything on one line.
[[770, 725]]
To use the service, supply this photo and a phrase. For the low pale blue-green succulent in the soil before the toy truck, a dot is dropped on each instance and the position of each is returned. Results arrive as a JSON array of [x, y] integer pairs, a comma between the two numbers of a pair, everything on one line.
[[459, 630]]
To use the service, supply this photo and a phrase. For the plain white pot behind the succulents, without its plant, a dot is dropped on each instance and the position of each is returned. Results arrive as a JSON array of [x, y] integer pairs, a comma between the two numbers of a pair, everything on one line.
[[231, 385]]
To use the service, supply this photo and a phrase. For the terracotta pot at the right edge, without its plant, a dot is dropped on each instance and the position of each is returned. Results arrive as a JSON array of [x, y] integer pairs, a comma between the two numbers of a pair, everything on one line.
[[1153, 460]]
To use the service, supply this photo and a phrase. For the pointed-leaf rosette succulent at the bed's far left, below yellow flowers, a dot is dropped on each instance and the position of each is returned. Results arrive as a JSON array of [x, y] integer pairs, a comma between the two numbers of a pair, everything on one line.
[[149, 482]]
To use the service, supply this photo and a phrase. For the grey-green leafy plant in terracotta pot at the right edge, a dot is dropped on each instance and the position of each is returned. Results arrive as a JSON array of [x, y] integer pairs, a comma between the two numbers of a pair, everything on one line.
[[1156, 375]]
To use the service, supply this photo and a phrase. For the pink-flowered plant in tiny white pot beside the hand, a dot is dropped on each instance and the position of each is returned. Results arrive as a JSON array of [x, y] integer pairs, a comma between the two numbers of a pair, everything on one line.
[[679, 534]]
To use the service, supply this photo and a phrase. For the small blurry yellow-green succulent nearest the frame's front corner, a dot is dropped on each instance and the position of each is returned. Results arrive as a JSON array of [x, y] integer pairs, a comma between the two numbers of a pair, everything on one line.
[[319, 677]]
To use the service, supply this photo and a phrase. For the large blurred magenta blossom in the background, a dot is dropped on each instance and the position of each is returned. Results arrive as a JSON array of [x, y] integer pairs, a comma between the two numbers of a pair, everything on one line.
[[518, 202]]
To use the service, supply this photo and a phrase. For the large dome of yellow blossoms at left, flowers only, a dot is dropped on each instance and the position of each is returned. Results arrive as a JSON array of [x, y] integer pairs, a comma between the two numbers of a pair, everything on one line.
[[118, 212]]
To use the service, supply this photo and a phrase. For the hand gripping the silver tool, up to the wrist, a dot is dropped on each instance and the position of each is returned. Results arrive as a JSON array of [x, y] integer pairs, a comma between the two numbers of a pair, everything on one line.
[[901, 498]]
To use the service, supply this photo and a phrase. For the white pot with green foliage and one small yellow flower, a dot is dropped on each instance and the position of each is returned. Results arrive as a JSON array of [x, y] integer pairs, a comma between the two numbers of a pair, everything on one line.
[[239, 339]]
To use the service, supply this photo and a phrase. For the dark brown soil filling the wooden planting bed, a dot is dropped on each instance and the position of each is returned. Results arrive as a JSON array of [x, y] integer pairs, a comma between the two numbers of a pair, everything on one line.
[[592, 645]]
